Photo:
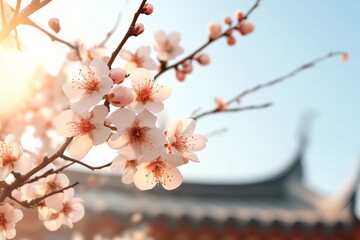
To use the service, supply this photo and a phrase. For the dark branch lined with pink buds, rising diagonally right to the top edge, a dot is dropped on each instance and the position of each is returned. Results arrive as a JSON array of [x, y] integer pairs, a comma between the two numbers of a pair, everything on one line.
[[192, 55]]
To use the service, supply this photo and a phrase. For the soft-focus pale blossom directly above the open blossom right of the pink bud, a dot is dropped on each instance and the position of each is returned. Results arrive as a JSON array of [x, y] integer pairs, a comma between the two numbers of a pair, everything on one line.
[[140, 59]]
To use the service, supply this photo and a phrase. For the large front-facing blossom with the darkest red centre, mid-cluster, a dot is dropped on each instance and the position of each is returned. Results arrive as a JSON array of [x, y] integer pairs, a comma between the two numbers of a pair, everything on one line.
[[137, 134]]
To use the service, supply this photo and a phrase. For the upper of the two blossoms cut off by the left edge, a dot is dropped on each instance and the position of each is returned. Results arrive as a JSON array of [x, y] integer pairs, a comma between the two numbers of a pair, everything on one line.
[[11, 157]]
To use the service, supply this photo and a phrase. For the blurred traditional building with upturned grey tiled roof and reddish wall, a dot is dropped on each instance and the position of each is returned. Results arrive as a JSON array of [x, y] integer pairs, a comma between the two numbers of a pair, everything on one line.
[[280, 207]]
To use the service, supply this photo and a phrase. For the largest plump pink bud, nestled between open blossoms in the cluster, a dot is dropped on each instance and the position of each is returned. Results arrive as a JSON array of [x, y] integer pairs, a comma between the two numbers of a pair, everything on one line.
[[120, 96]]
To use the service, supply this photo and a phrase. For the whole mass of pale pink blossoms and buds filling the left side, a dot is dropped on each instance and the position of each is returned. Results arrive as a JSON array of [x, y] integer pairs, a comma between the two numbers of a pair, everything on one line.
[[117, 106]]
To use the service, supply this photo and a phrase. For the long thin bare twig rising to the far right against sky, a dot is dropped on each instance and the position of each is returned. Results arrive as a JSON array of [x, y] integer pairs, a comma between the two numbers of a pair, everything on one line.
[[286, 76]]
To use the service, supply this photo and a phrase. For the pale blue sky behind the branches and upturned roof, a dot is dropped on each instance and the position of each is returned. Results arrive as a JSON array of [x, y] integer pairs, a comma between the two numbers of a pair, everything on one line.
[[259, 143]]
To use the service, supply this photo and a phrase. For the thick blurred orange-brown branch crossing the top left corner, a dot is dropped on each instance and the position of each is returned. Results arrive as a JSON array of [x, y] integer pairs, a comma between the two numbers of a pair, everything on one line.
[[34, 6]]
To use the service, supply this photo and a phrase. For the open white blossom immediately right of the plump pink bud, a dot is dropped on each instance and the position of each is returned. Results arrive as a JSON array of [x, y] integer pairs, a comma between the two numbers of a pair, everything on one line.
[[148, 95]]
